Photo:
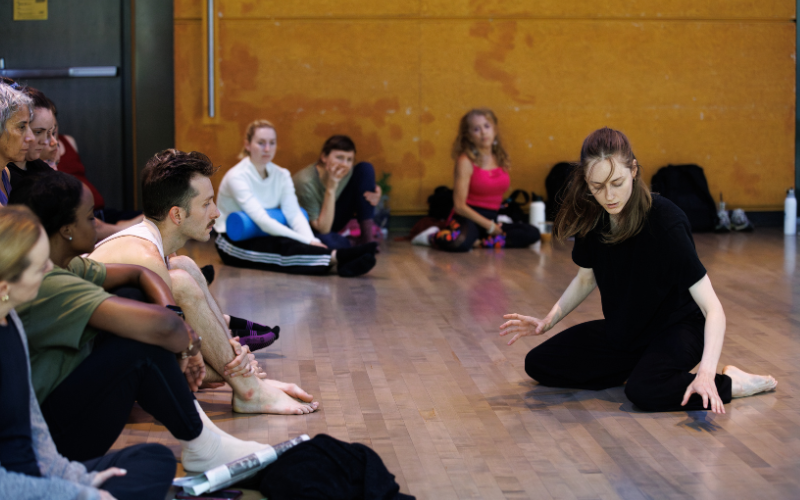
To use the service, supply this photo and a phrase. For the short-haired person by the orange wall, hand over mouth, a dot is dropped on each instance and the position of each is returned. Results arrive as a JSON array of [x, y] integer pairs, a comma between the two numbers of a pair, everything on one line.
[[333, 192]]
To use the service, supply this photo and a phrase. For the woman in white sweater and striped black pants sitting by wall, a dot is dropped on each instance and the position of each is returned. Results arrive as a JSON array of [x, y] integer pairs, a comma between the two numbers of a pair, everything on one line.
[[255, 185]]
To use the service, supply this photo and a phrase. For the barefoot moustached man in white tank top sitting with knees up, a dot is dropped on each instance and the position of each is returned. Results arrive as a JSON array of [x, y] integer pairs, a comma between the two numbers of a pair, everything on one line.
[[178, 201]]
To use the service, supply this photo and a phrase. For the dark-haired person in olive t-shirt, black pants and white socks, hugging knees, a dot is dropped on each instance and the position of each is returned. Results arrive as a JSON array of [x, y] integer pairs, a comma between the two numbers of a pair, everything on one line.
[[94, 354]]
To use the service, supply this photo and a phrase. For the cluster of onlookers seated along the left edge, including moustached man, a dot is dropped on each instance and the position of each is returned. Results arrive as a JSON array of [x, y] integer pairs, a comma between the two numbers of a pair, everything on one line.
[[84, 338]]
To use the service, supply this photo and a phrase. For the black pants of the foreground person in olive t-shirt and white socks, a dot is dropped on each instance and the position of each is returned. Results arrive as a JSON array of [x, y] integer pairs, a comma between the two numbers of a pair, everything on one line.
[[89, 409]]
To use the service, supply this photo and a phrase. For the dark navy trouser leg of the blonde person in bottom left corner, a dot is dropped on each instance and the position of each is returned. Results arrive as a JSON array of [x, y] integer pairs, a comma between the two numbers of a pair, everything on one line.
[[151, 468]]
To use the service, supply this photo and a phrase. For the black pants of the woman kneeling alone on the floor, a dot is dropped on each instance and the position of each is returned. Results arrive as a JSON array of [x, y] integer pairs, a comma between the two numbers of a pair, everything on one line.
[[581, 357]]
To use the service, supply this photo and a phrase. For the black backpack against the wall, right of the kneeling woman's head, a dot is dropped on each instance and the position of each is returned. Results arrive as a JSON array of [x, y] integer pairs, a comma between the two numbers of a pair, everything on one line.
[[686, 186]]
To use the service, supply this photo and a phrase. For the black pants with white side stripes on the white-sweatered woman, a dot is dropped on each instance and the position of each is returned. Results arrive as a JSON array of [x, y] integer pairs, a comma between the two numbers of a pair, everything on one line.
[[274, 253]]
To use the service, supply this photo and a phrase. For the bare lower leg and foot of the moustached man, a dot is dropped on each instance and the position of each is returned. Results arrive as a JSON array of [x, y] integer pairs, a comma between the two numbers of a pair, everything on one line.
[[250, 394]]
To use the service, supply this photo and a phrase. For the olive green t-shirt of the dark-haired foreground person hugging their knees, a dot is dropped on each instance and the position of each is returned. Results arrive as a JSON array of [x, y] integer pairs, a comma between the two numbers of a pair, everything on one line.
[[57, 322]]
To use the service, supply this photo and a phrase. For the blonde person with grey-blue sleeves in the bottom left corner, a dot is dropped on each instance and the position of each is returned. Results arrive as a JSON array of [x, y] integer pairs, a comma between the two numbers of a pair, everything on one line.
[[30, 466]]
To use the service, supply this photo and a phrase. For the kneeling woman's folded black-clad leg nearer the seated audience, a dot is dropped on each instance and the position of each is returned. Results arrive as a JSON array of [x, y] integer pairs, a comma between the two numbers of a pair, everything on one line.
[[580, 358]]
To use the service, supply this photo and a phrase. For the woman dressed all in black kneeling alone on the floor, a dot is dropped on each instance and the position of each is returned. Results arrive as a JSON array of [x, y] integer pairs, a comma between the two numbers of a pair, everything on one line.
[[662, 316]]
